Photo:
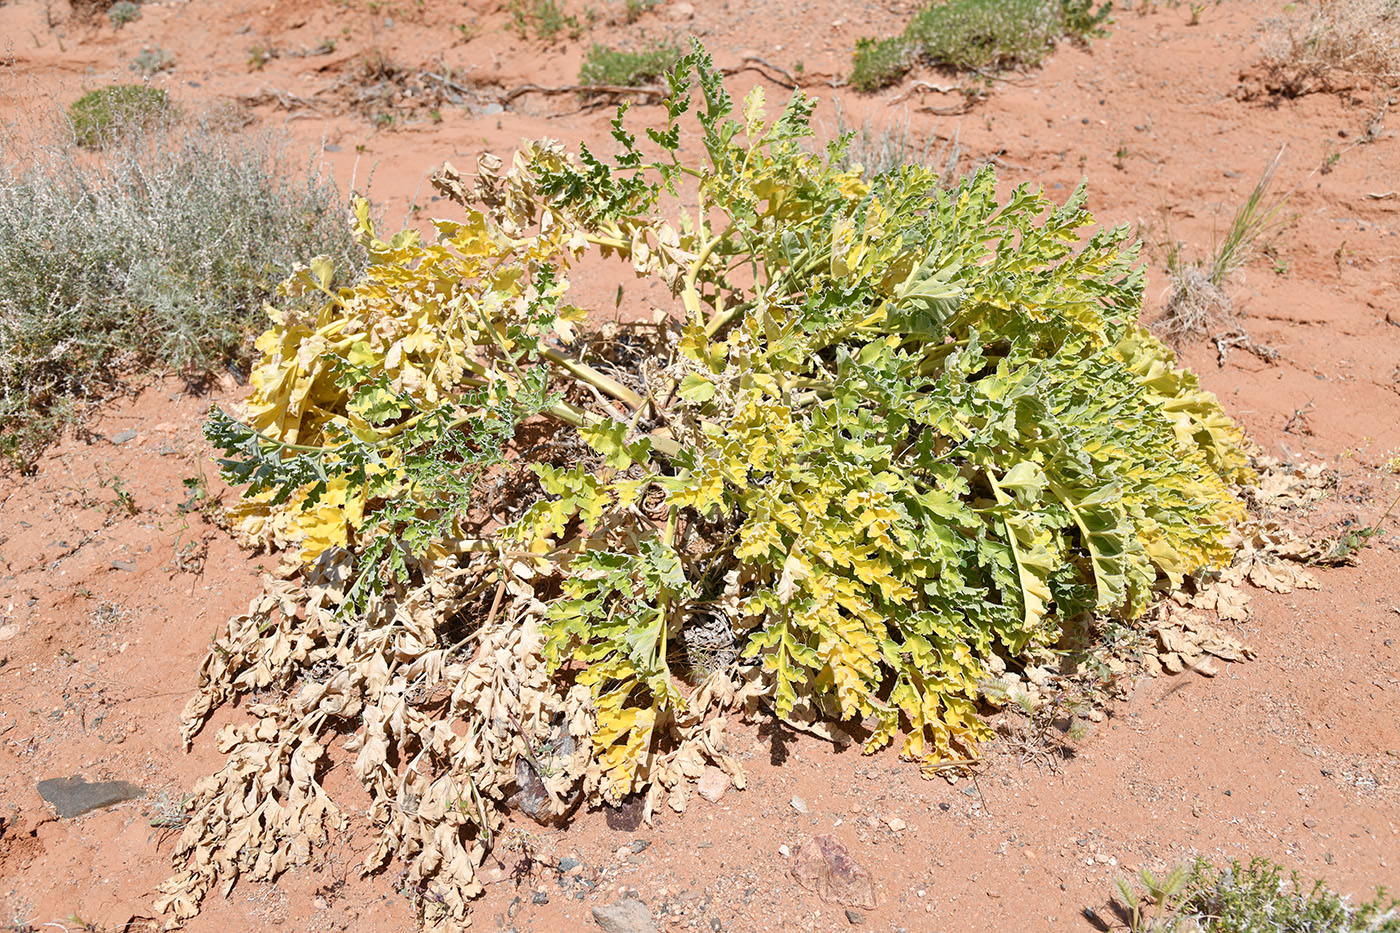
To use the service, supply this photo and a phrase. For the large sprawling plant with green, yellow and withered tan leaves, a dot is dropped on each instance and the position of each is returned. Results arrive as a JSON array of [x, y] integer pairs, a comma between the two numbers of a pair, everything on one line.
[[887, 432]]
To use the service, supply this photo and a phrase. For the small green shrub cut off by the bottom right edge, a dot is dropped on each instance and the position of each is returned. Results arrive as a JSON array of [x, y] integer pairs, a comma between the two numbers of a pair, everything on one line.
[[1247, 899]]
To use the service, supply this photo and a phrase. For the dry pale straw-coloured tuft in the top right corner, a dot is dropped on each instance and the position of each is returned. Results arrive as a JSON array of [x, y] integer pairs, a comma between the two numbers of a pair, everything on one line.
[[1335, 46]]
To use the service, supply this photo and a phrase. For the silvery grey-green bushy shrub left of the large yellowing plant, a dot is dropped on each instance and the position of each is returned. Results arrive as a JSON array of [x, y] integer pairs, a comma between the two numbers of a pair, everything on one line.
[[160, 253]]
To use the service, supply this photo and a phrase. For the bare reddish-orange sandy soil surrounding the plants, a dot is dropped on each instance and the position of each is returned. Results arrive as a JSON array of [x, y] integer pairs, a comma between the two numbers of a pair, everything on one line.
[[106, 609]]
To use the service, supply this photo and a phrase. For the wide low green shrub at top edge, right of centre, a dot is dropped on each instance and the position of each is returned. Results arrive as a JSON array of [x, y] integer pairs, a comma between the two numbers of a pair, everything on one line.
[[976, 36]]
